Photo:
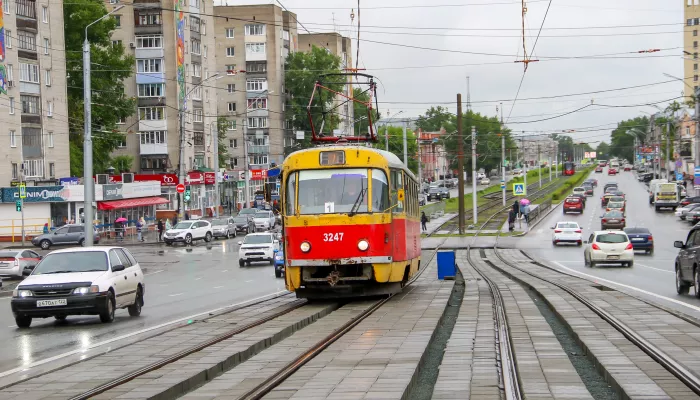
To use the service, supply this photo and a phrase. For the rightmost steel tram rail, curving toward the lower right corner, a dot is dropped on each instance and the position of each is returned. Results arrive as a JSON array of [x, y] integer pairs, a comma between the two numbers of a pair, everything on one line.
[[686, 376]]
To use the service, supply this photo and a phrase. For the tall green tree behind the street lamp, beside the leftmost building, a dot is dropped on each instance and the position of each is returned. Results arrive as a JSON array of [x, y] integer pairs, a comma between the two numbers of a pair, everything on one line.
[[110, 66]]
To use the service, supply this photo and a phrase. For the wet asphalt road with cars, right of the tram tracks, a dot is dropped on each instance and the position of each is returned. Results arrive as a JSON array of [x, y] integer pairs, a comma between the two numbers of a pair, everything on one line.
[[652, 275]]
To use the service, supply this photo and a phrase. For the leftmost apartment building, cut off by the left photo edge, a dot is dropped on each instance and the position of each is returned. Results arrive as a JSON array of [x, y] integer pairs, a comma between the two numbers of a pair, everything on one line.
[[35, 116]]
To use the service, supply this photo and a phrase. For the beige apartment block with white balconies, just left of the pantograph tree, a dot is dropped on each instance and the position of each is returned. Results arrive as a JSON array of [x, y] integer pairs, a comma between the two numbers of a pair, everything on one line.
[[256, 39]]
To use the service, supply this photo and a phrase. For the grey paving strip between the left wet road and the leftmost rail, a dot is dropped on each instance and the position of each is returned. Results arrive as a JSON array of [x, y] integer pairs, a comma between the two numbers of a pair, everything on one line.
[[90, 373]]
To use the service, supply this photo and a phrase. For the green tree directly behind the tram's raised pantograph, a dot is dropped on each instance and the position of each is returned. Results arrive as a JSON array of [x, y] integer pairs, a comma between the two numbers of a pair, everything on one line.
[[303, 70]]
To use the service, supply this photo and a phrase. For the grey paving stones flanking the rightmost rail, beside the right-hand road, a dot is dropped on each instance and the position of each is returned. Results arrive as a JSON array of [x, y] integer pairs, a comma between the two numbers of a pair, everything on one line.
[[632, 370]]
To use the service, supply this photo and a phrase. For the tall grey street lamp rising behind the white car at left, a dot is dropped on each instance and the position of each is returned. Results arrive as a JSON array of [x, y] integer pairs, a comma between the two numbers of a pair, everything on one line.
[[89, 196]]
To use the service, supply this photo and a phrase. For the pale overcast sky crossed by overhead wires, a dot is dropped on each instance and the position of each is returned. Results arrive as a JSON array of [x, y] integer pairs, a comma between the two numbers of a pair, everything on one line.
[[496, 77]]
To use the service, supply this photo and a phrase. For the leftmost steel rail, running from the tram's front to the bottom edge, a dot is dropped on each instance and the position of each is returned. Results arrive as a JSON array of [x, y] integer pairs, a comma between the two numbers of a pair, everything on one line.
[[184, 353]]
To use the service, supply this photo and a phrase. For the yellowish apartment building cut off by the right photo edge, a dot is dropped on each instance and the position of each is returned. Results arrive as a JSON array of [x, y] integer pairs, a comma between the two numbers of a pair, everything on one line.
[[691, 47]]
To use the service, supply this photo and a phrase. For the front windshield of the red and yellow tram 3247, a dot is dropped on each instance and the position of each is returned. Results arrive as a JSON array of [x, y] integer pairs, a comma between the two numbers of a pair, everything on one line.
[[341, 190]]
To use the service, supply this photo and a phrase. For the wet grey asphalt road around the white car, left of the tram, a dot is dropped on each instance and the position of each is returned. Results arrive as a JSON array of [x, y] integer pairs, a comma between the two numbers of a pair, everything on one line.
[[180, 282]]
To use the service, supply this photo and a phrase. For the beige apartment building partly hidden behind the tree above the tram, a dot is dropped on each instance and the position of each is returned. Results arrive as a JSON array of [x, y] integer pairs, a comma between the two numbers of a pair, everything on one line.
[[342, 47]]
